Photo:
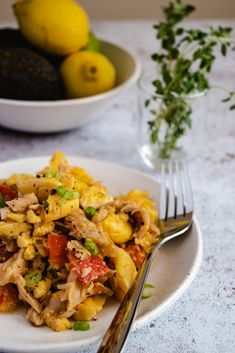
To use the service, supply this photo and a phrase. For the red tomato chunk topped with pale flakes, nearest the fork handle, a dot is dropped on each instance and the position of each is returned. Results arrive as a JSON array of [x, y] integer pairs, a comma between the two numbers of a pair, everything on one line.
[[90, 269]]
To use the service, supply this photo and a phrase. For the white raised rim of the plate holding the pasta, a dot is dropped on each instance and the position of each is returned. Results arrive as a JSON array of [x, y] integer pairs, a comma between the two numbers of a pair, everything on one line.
[[139, 322]]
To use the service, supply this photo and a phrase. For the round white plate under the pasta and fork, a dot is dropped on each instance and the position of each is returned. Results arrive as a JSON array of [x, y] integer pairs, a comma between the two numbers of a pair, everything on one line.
[[173, 270]]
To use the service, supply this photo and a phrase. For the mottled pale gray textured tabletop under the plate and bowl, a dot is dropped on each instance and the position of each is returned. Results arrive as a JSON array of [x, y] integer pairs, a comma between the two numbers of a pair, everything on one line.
[[202, 321]]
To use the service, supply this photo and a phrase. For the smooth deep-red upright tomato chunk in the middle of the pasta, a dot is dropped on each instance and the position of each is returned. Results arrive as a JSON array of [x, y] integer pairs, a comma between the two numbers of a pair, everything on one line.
[[57, 245]]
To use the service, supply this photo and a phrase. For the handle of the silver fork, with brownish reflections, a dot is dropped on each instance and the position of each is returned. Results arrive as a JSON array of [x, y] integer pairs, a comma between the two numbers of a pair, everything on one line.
[[117, 333]]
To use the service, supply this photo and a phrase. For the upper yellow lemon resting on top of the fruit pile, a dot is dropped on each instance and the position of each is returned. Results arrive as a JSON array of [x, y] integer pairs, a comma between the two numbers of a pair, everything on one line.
[[56, 26]]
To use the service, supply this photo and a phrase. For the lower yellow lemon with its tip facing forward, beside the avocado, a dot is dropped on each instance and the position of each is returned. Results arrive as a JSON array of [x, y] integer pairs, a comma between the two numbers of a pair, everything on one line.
[[87, 73]]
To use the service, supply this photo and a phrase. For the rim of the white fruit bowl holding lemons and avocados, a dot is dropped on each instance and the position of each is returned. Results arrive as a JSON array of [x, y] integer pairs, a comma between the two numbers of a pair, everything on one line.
[[74, 101]]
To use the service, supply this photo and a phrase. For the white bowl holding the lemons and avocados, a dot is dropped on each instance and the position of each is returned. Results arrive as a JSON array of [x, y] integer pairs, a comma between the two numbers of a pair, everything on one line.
[[66, 114]]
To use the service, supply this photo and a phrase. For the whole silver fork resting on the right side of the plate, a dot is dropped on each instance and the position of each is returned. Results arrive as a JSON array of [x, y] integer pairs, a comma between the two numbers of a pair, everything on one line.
[[176, 213]]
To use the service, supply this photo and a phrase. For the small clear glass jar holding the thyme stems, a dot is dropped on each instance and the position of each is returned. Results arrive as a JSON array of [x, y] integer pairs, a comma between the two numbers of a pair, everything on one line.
[[190, 144]]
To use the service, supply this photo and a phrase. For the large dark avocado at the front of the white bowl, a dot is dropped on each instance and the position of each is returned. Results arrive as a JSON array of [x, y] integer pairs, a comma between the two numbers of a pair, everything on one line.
[[27, 75]]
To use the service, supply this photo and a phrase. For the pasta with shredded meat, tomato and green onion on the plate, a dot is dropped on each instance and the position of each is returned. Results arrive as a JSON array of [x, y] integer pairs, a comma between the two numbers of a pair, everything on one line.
[[67, 245]]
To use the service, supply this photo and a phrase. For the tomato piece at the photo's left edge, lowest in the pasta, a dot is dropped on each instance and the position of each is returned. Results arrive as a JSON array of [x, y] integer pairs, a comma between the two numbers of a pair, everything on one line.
[[8, 298]]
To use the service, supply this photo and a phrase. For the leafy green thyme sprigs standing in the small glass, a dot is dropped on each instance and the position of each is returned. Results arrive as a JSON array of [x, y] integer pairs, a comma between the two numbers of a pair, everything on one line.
[[185, 59]]
